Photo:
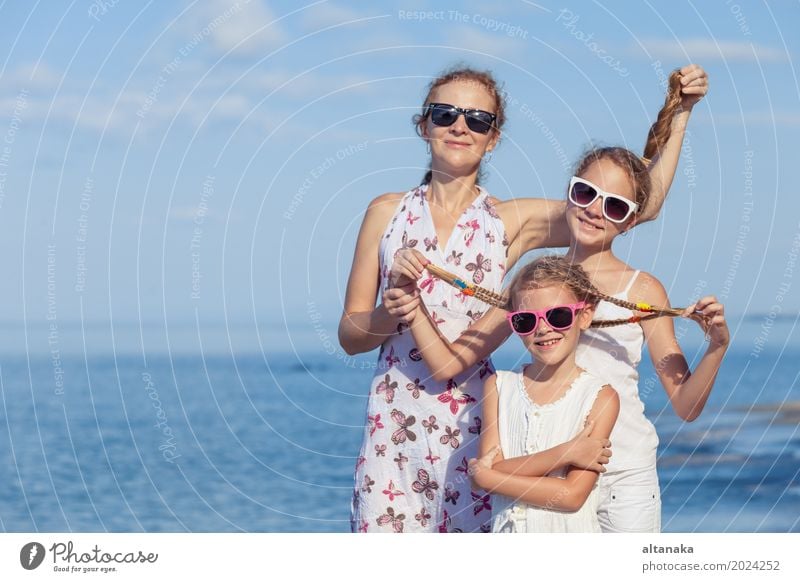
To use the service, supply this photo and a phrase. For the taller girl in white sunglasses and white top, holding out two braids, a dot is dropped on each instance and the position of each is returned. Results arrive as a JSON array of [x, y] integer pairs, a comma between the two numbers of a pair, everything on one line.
[[609, 188]]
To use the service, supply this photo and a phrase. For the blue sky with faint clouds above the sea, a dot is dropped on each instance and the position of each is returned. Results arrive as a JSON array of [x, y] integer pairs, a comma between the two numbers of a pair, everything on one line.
[[208, 163]]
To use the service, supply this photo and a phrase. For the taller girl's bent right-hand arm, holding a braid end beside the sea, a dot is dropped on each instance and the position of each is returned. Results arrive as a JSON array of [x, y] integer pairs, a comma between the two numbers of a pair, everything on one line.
[[687, 390]]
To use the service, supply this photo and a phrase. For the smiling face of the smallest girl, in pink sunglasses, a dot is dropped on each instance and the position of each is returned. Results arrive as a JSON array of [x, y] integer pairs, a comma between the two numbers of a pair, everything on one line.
[[547, 345]]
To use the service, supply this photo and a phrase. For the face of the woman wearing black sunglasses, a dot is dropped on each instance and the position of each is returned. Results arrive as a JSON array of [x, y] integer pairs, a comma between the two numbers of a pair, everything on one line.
[[456, 149]]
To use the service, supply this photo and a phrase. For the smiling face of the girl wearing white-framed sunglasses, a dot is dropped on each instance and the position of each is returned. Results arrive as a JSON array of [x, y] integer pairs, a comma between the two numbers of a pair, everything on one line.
[[588, 227]]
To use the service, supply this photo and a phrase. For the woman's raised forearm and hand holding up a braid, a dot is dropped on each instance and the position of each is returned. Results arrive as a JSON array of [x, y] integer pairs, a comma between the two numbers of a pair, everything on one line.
[[691, 87]]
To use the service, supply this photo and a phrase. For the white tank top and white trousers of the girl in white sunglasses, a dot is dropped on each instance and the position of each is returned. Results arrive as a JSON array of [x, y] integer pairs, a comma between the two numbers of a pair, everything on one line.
[[629, 496]]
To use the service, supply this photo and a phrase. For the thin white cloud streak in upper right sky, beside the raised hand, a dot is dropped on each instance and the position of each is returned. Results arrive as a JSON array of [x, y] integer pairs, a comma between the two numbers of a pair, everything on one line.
[[700, 50]]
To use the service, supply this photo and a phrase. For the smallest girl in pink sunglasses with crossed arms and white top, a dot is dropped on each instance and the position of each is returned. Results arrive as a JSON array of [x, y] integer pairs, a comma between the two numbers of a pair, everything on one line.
[[543, 405]]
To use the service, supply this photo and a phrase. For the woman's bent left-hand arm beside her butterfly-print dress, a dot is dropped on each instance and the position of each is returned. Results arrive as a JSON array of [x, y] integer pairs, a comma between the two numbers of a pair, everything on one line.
[[364, 326]]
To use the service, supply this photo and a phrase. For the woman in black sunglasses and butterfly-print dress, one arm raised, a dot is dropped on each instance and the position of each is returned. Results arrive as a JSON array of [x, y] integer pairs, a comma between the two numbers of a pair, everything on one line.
[[411, 473]]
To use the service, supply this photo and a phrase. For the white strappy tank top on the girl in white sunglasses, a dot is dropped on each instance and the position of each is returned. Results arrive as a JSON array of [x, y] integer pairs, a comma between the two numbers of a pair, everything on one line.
[[614, 353]]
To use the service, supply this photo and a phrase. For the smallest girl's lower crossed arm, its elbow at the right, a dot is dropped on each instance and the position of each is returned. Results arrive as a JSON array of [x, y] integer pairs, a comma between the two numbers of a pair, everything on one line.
[[567, 494]]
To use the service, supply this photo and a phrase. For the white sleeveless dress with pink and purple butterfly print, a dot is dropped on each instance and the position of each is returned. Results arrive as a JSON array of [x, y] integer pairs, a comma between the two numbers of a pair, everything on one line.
[[411, 475]]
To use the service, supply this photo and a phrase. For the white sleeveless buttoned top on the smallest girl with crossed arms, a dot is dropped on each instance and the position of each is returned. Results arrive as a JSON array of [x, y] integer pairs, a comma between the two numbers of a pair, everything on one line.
[[526, 428]]
